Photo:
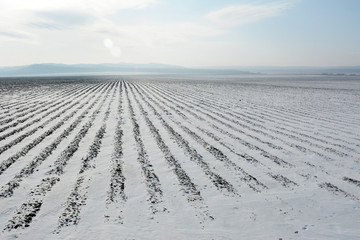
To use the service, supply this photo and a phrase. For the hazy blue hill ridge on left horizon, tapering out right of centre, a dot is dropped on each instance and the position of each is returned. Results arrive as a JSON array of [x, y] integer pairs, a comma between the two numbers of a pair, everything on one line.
[[54, 69]]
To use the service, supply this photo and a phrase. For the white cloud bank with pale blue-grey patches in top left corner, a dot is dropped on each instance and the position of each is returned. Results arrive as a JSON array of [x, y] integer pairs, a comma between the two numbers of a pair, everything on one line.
[[25, 16]]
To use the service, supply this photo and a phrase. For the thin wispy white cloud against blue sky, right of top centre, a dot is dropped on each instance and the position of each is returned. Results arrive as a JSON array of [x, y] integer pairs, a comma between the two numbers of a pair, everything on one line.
[[246, 13]]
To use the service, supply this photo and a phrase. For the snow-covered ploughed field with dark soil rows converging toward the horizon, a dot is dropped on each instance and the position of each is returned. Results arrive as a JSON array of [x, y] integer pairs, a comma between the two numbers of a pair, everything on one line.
[[180, 157]]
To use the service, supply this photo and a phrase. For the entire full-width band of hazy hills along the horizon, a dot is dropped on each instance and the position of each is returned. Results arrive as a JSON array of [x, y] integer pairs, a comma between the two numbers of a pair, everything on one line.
[[118, 68]]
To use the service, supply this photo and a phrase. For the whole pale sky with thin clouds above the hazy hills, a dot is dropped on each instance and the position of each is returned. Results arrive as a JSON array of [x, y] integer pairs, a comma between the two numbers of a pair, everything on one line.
[[187, 32]]
